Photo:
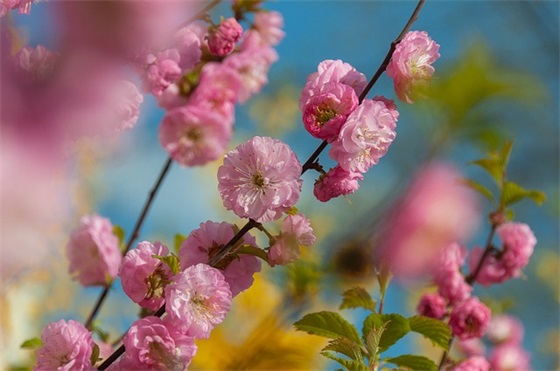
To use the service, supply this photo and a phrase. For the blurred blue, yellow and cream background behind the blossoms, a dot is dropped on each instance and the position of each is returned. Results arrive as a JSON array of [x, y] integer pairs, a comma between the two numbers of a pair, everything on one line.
[[497, 79]]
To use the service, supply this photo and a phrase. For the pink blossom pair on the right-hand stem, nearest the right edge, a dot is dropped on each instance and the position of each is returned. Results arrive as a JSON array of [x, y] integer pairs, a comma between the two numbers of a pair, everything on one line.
[[518, 245]]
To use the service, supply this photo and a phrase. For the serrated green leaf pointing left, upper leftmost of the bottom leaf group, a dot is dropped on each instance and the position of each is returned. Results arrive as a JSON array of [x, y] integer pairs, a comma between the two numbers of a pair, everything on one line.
[[328, 324]]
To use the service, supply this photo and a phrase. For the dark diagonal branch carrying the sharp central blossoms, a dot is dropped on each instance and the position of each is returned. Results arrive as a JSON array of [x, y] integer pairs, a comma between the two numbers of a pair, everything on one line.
[[226, 249]]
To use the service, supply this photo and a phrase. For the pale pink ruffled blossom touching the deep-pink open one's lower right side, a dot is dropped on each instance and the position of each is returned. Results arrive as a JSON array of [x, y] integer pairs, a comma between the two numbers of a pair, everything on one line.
[[364, 138]]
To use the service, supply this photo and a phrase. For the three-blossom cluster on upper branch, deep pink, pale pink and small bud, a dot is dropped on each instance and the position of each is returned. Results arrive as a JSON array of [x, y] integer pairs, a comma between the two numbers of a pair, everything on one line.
[[359, 134]]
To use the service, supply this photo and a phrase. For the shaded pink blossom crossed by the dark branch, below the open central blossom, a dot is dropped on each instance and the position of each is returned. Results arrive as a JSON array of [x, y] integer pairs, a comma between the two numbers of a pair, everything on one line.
[[205, 242]]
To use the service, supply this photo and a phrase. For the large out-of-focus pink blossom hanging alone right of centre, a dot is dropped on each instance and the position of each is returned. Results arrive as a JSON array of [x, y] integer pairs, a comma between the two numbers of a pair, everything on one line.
[[433, 212]]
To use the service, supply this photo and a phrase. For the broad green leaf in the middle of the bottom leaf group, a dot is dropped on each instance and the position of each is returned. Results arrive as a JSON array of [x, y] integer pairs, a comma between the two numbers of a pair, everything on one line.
[[396, 326]]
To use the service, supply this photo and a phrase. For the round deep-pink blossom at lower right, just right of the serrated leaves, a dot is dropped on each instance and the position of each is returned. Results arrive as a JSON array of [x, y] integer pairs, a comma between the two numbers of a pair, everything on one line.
[[469, 319]]
